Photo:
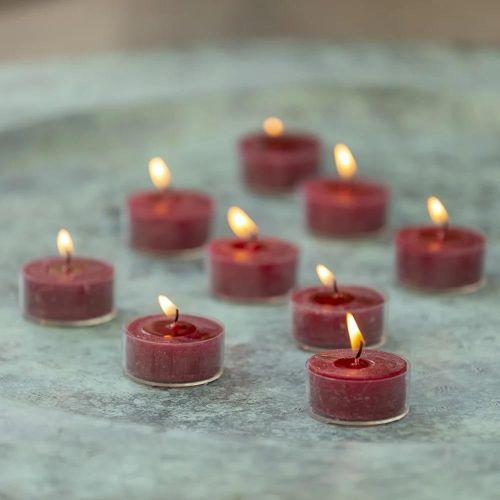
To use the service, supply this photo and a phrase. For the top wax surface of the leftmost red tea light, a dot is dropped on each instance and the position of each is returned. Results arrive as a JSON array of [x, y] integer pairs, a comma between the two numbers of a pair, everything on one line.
[[83, 270]]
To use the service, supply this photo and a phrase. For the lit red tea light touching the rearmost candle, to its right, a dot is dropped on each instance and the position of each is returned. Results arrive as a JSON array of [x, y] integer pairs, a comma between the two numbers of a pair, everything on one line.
[[347, 206]]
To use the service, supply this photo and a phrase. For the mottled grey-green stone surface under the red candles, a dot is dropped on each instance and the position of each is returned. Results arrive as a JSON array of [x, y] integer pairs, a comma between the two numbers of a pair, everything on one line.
[[75, 136]]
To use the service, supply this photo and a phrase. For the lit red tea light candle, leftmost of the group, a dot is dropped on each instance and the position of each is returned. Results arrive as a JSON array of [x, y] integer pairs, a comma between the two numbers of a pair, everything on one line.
[[67, 290]]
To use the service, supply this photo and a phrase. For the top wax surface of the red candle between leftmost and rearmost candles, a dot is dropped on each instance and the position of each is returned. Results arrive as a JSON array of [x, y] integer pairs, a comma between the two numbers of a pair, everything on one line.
[[172, 203]]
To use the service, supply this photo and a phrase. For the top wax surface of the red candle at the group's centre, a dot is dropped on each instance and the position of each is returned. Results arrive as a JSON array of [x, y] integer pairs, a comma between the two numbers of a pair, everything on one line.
[[263, 250]]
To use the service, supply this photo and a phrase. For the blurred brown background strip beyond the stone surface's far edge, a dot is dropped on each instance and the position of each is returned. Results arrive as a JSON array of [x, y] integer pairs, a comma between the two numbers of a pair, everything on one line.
[[34, 28]]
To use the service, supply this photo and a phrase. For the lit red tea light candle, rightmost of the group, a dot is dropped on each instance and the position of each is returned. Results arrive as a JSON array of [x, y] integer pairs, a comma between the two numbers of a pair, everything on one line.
[[440, 257]]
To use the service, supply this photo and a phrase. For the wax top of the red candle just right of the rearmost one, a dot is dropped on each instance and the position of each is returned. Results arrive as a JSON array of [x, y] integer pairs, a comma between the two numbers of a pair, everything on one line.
[[357, 188]]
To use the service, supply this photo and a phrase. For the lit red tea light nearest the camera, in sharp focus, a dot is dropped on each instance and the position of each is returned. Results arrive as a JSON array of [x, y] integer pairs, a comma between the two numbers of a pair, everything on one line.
[[358, 387]]
